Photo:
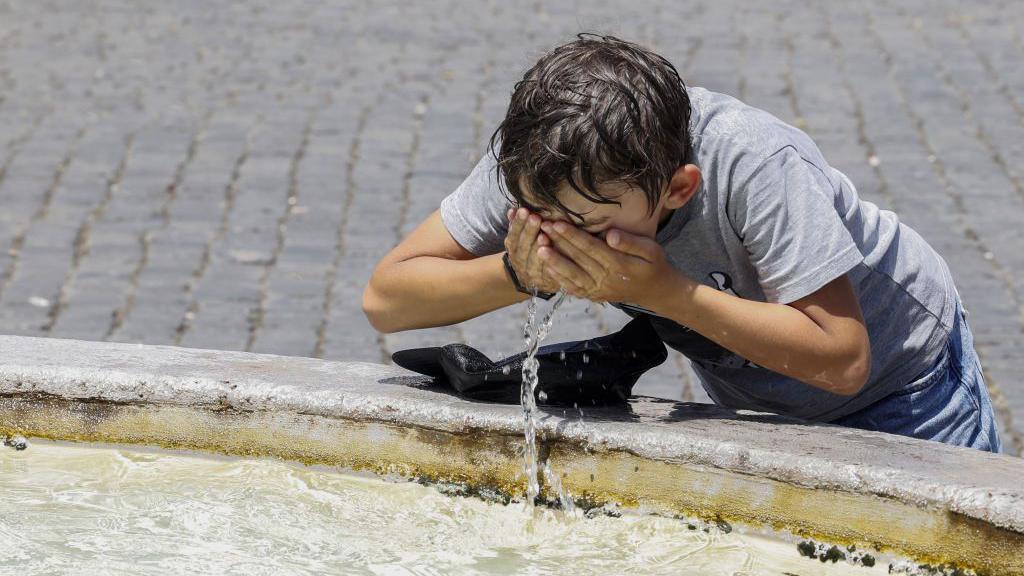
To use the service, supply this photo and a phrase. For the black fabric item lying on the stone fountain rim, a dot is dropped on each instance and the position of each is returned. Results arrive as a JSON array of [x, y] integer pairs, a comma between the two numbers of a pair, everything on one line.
[[593, 373]]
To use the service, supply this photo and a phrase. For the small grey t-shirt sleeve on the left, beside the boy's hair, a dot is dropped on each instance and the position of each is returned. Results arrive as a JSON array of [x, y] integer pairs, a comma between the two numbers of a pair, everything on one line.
[[475, 214]]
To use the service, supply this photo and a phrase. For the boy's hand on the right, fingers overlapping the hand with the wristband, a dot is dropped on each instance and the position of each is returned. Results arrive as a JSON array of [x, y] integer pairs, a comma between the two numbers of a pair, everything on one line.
[[623, 268]]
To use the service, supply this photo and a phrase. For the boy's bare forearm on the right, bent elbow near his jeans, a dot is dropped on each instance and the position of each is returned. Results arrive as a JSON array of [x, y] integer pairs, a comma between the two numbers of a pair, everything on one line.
[[775, 337]]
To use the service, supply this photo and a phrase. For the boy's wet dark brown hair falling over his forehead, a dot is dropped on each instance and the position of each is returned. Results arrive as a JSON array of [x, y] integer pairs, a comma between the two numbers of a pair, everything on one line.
[[593, 111]]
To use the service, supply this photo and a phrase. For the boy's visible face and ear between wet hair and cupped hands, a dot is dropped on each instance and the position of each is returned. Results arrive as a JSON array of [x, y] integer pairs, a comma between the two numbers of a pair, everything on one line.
[[633, 216]]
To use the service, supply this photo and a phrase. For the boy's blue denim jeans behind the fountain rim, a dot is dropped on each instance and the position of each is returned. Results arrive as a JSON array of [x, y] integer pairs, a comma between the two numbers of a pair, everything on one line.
[[949, 403]]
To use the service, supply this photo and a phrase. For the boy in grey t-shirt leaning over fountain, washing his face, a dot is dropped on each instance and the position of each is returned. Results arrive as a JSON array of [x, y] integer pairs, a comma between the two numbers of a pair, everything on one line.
[[726, 226]]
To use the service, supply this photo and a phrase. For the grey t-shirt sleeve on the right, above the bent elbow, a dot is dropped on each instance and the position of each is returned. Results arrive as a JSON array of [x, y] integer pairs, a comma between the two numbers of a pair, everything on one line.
[[787, 219]]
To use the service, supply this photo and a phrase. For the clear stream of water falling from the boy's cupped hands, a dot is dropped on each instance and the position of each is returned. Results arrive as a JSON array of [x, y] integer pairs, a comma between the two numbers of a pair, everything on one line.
[[533, 334]]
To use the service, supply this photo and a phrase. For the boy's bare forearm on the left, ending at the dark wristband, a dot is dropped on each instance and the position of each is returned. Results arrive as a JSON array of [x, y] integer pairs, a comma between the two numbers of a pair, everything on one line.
[[429, 292]]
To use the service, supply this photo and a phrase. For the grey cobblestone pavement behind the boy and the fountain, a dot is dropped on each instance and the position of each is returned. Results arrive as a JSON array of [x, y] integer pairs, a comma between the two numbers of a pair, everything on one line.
[[226, 176]]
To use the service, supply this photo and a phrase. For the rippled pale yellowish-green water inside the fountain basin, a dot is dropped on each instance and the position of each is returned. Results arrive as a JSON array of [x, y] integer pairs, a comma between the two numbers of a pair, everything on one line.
[[69, 509]]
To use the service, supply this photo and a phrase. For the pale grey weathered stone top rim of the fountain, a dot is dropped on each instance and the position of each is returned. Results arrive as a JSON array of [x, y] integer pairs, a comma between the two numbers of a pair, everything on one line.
[[978, 485]]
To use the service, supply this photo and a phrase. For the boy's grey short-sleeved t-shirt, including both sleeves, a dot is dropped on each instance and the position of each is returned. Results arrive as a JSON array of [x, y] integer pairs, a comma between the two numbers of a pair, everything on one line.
[[772, 222]]
